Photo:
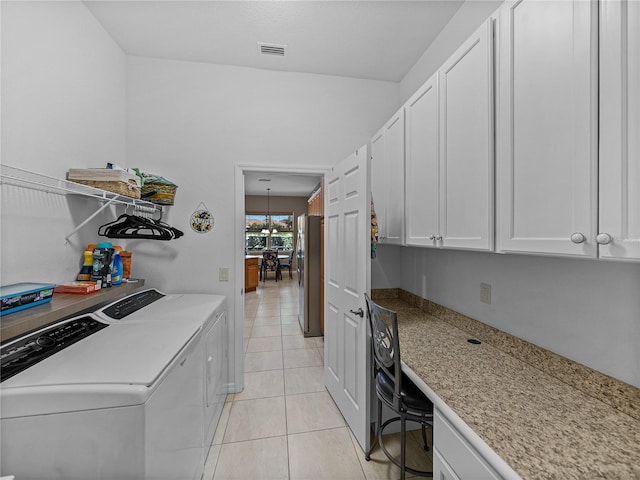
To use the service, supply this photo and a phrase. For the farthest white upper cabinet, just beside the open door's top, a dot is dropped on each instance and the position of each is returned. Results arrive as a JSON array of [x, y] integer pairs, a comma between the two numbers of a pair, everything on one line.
[[387, 184]]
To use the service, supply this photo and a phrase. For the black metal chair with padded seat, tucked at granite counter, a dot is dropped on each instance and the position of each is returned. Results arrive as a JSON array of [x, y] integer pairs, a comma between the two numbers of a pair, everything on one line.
[[394, 388]]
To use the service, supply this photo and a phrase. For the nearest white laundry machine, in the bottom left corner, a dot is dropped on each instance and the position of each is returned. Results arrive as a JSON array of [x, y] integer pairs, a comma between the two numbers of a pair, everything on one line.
[[84, 399]]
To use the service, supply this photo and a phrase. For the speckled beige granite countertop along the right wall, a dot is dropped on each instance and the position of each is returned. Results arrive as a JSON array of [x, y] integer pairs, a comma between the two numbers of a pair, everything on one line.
[[534, 417]]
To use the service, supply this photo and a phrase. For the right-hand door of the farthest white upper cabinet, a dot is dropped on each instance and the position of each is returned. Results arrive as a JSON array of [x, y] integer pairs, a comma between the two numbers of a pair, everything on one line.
[[394, 178]]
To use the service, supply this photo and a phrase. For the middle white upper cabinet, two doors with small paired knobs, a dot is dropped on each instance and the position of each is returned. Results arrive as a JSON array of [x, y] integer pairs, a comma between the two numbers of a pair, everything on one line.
[[449, 157]]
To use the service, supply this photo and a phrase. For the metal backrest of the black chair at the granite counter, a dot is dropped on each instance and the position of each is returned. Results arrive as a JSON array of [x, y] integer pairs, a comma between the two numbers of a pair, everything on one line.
[[385, 345]]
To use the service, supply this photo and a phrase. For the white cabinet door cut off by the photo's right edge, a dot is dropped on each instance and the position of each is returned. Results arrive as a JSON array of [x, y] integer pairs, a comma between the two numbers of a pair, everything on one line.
[[619, 171]]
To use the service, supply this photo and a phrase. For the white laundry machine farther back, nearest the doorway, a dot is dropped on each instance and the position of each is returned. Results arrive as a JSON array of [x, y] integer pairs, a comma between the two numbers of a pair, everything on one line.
[[152, 306]]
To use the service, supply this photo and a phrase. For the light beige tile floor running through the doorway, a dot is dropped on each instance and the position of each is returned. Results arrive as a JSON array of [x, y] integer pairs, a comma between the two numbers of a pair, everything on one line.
[[284, 424]]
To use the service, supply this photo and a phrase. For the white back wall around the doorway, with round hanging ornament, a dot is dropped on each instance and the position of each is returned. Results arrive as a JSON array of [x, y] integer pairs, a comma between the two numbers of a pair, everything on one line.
[[193, 122]]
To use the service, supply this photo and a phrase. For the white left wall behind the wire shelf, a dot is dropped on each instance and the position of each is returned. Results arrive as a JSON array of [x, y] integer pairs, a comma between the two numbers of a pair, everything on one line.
[[63, 105]]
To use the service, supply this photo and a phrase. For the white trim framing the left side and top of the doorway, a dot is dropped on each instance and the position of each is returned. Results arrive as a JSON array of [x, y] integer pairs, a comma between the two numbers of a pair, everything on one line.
[[236, 356]]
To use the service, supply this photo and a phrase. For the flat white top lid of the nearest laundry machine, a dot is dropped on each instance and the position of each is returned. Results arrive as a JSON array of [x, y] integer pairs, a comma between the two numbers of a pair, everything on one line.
[[131, 354]]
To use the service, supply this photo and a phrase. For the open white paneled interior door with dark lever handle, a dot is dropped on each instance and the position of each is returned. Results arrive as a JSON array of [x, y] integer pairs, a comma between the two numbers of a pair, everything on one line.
[[347, 271]]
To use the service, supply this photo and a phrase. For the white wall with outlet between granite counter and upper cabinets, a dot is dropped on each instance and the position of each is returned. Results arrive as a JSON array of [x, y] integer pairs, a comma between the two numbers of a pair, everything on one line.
[[586, 310]]
